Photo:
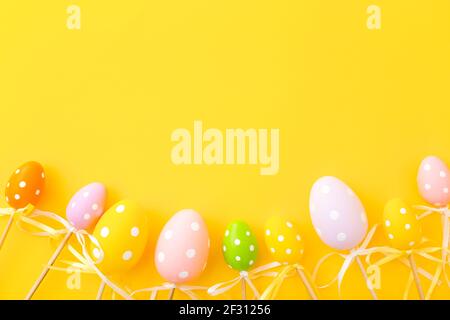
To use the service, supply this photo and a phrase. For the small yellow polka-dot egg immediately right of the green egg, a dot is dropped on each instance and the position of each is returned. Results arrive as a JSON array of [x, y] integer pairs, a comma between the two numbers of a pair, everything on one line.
[[283, 240]]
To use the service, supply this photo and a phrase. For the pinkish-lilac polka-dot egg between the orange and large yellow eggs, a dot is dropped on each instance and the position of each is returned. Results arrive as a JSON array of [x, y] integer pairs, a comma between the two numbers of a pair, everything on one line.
[[86, 206]]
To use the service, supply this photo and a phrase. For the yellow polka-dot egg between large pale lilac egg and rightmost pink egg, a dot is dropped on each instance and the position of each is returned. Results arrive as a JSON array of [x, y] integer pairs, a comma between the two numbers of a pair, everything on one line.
[[401, 225]]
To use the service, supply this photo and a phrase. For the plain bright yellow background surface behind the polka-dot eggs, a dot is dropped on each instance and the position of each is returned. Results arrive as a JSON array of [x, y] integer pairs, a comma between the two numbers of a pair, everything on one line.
[[100, 103]]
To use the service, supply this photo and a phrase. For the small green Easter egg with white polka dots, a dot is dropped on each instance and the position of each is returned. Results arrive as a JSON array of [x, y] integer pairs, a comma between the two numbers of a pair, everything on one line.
[[239, 246]]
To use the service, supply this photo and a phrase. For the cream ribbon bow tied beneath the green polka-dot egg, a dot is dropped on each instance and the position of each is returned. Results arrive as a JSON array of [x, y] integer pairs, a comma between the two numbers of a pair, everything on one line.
[[247, 276]]
